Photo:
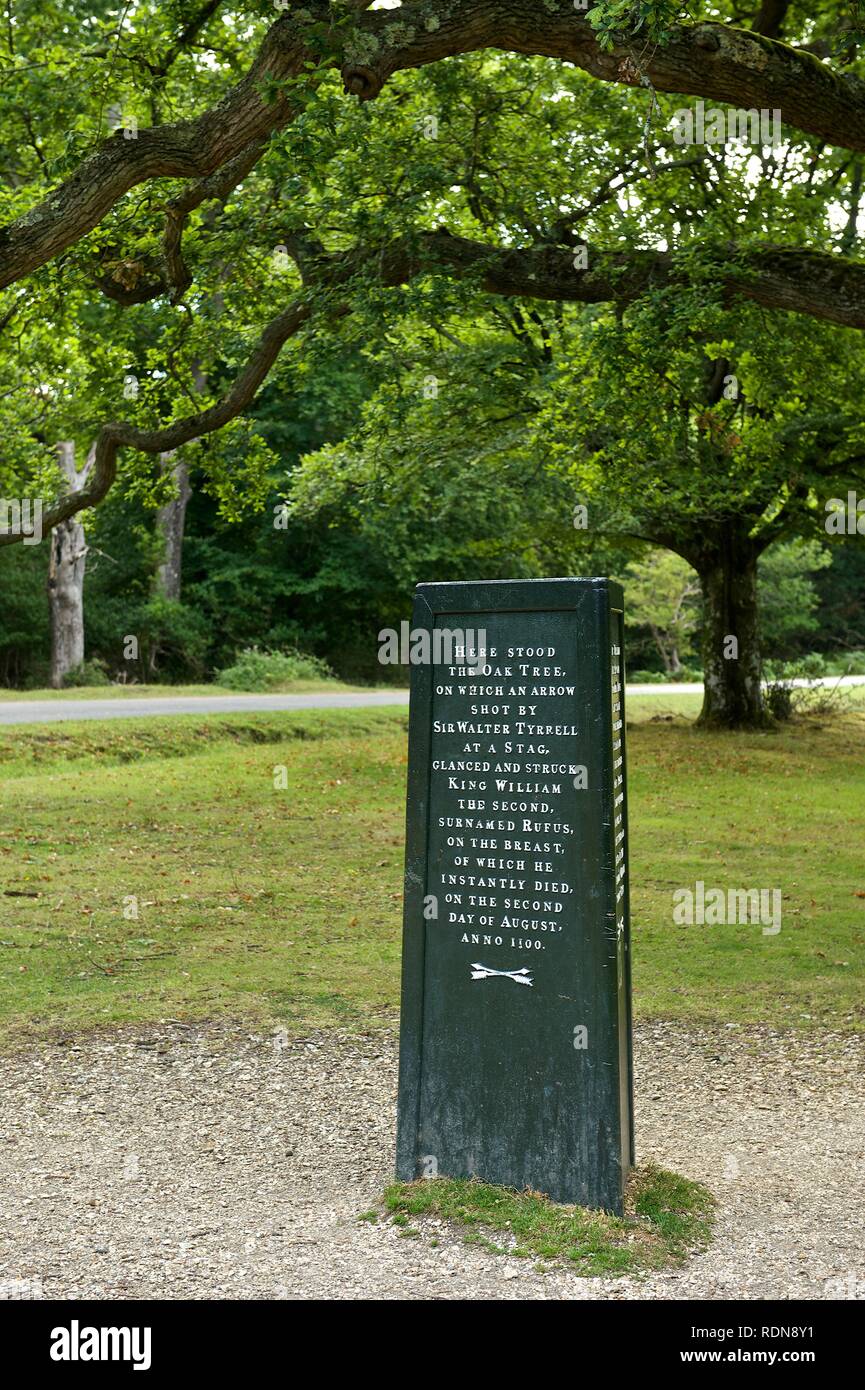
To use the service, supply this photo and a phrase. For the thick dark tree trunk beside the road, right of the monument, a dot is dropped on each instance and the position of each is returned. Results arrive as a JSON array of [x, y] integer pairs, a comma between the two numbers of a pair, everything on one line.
[[732, 660]]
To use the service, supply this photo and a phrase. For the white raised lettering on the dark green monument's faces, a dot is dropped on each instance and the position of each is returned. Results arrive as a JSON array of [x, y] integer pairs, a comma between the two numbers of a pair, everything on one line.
[[507, 753]]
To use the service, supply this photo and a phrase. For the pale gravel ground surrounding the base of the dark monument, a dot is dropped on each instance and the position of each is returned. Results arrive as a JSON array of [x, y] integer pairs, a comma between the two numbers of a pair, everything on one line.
[[194, 1163]]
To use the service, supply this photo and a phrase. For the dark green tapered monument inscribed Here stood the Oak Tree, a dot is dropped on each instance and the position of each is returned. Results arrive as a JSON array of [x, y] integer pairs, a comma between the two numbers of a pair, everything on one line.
[[517, 1024]]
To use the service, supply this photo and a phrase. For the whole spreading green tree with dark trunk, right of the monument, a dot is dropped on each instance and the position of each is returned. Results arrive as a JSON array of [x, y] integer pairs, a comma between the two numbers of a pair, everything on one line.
[[643, 423]]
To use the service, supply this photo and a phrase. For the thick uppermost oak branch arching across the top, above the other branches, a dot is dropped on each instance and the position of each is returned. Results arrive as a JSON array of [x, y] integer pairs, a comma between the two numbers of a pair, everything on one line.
[[710, 60]]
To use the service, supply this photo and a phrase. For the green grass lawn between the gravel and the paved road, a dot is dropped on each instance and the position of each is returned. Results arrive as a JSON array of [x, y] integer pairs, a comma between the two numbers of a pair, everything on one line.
[[151, 869]]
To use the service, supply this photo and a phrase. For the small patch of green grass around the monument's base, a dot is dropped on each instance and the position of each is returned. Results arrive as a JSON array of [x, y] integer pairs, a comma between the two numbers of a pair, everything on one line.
[[667, 1217]]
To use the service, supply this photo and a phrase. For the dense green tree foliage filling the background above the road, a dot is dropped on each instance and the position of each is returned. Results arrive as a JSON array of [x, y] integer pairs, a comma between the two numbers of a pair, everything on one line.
[[404, 338]]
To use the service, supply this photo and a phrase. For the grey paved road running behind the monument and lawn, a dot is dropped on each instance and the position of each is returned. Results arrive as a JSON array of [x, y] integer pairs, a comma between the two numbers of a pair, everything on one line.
[[49, 711]]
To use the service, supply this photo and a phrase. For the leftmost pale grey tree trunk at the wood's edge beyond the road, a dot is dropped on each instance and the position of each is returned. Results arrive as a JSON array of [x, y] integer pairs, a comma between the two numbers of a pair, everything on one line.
[[66, 578]]
